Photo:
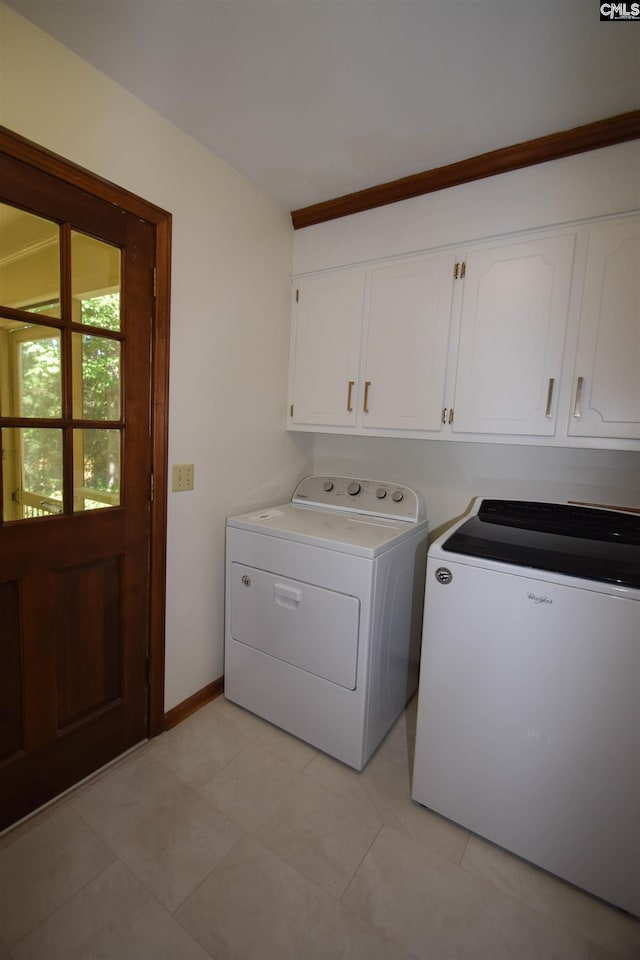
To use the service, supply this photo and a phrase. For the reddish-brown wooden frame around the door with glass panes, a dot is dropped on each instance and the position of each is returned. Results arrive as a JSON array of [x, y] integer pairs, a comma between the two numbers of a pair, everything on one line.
[[19, 148]]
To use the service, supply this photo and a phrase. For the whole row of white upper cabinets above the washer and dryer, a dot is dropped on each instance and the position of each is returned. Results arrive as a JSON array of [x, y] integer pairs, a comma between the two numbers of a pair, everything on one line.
[[532, 338]]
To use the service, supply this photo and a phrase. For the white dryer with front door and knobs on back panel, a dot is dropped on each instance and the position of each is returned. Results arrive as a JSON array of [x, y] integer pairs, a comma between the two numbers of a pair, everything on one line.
[[324, 601]]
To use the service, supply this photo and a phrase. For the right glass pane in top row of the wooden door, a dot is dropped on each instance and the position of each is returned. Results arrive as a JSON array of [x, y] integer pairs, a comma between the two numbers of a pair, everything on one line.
[[95, 282]]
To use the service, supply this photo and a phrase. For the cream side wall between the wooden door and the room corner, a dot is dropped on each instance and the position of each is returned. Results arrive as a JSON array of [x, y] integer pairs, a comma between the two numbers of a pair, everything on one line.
[[230, 318]]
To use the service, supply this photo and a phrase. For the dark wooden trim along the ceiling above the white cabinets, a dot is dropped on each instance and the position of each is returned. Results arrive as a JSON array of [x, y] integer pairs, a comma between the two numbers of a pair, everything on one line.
[[566, 143]]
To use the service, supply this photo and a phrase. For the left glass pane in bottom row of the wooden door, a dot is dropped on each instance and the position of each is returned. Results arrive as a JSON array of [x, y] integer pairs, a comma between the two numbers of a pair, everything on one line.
[[31, 472]]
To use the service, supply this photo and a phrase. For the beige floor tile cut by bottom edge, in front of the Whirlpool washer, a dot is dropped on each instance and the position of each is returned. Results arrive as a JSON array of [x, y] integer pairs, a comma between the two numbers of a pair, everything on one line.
[[438, 911]]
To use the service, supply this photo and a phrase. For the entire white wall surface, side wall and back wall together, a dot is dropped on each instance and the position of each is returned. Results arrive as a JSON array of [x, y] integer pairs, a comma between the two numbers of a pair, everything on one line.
[[230, 317]]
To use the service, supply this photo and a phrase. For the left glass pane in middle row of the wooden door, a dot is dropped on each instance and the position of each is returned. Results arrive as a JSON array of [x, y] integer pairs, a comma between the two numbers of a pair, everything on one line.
[[30, 370]]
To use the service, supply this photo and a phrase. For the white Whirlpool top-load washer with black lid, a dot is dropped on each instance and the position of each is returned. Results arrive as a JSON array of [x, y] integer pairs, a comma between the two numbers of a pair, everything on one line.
[[529, 703]]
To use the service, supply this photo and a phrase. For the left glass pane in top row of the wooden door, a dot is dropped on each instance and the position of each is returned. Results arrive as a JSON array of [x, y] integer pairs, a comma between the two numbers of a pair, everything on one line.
[[29, 262]]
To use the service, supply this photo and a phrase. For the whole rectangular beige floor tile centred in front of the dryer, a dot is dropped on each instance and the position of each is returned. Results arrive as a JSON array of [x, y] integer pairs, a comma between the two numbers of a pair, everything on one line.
[[313, 829]]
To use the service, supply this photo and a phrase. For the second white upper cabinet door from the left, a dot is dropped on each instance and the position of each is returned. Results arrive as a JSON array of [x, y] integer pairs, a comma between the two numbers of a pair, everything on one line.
[[406, 344]]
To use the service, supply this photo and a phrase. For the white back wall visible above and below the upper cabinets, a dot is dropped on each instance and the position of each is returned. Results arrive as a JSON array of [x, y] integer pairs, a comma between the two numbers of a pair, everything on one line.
[[450, 474]]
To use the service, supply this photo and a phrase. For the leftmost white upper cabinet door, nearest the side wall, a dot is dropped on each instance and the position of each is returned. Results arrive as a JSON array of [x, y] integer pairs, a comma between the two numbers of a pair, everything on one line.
[[327, 325]]
